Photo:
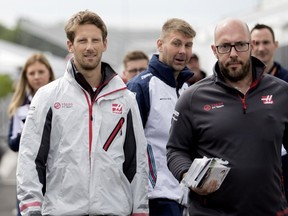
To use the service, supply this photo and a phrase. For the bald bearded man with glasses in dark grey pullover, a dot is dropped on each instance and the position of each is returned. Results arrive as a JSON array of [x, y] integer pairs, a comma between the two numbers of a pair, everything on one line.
[[240, 115]]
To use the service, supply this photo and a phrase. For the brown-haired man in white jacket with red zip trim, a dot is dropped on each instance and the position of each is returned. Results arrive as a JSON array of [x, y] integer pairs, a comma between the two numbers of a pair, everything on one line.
[[83, 148]]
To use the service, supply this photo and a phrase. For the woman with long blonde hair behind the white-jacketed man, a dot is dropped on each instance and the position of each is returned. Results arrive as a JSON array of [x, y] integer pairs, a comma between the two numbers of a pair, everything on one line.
[[36, 73]]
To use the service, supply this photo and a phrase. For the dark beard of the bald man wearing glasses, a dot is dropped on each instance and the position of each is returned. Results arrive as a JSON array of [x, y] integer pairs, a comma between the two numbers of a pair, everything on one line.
[[235, 76]]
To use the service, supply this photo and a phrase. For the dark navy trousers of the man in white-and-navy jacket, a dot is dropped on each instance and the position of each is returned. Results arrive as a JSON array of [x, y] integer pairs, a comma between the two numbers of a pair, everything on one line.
[[165, 207]]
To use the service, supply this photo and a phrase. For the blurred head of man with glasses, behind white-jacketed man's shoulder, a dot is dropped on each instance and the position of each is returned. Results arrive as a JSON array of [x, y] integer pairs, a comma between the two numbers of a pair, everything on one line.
[[134, 62]]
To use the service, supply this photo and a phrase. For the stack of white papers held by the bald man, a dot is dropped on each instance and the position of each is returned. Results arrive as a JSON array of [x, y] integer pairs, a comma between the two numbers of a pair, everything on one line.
[[203, 170]]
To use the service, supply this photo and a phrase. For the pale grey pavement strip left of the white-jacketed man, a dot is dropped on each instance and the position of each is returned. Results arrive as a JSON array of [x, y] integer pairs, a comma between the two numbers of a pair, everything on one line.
[[8, 165]]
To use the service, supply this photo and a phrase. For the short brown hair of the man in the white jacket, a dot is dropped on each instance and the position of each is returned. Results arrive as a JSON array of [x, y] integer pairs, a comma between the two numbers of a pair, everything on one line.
[[81, 18]]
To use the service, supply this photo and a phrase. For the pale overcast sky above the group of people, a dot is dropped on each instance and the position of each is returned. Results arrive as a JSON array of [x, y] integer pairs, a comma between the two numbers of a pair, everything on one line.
[[125, 13]]
